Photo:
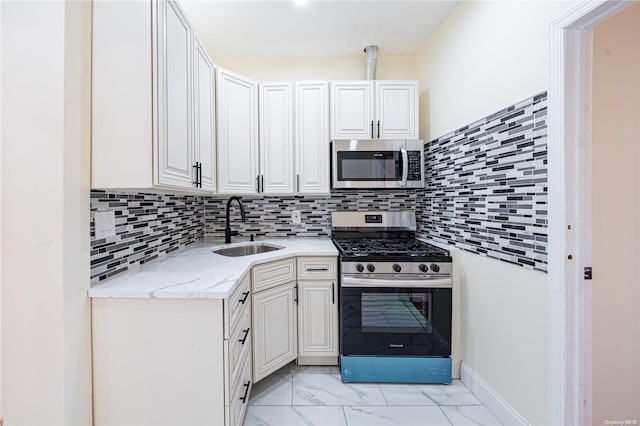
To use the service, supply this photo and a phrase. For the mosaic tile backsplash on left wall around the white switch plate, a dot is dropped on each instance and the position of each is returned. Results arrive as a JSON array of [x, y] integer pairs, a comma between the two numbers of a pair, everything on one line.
[[147, 226]]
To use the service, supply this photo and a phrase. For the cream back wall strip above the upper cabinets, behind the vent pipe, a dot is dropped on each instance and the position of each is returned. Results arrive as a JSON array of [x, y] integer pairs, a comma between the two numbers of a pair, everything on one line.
[[390, 67]]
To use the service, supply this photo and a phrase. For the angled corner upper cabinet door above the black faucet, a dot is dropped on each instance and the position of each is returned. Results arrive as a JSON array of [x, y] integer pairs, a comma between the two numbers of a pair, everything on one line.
[[237, 109]]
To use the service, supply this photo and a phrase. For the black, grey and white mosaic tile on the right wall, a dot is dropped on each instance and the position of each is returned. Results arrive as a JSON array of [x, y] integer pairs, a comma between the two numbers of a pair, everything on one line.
[[486, 186]]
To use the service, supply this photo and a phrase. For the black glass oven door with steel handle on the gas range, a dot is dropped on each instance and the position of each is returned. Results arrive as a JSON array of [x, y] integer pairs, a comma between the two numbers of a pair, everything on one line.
[[395, 317]]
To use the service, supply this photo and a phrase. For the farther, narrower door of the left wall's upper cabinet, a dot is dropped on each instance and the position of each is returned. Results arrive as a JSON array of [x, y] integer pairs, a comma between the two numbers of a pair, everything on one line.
[[204, 114]]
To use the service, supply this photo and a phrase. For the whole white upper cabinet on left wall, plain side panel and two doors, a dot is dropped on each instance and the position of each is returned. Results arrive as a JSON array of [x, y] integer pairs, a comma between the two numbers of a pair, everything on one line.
[[152, 99]]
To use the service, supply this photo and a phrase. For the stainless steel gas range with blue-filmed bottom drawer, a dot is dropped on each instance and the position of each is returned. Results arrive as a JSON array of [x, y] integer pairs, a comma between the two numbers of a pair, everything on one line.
[[395, 300]]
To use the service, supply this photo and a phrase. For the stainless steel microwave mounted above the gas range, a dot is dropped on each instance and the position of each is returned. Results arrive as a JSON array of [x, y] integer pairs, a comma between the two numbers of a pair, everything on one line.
[[378, 163]]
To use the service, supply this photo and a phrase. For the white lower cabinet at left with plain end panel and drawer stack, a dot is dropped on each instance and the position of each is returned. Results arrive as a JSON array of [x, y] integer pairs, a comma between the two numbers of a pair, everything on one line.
[[172, 362]]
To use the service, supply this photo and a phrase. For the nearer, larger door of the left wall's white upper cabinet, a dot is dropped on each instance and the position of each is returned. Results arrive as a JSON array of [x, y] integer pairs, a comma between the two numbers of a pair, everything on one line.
[[174, 103]]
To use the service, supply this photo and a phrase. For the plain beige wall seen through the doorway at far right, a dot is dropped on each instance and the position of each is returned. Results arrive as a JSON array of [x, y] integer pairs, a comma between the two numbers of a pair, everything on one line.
[[616, 218]]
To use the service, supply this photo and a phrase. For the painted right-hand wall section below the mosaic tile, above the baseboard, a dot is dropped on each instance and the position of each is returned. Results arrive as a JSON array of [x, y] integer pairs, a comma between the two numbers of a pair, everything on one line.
[[503, 329]]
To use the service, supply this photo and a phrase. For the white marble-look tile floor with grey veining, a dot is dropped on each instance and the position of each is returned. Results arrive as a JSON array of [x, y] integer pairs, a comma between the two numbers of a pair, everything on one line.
[[315, 396]]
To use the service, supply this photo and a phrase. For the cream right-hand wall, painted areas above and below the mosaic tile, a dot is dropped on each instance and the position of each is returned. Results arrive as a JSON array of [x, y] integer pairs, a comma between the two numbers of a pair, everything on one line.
[[487, 56]]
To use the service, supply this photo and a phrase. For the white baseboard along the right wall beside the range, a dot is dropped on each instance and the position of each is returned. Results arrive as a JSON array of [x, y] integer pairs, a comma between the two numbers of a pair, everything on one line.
[[490, 398]]
